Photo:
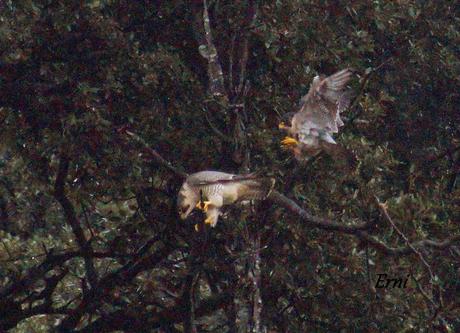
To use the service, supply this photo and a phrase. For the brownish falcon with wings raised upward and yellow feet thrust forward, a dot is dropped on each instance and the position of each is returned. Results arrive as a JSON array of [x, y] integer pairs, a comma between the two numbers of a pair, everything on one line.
[[318, 119]]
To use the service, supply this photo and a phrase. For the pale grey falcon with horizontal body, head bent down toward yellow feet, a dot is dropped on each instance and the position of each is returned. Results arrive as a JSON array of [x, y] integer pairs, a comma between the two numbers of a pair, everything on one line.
[[210, 190]]
